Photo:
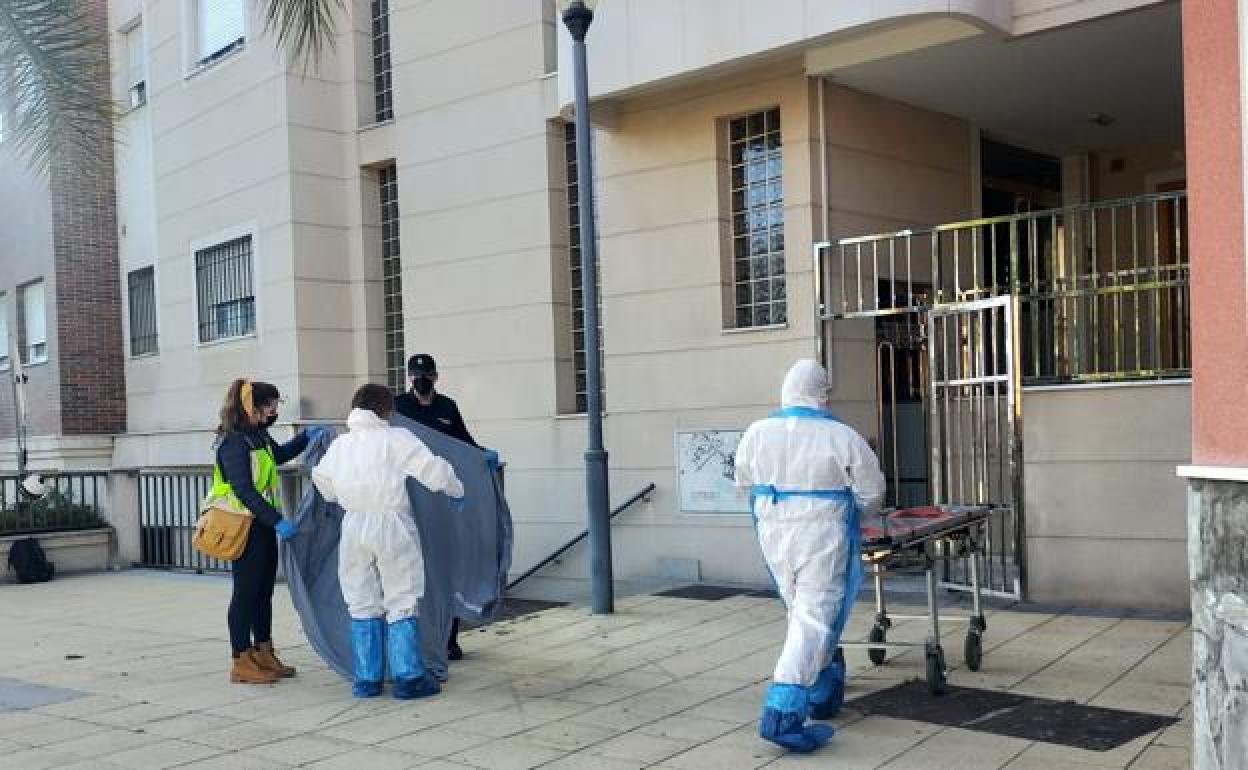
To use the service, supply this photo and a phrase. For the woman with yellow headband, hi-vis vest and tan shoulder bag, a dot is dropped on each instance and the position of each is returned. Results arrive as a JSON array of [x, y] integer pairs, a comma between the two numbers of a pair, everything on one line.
[[246, 469]]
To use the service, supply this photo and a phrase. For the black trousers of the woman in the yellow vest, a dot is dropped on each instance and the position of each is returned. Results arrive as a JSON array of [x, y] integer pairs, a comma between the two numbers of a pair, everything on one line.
[[251, 606]]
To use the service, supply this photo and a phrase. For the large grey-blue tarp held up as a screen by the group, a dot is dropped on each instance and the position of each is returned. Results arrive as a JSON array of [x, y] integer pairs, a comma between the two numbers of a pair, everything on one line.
[[466, 555]]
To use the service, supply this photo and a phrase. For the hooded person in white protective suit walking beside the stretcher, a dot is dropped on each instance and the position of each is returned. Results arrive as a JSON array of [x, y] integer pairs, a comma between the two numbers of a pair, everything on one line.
[[809, 477]]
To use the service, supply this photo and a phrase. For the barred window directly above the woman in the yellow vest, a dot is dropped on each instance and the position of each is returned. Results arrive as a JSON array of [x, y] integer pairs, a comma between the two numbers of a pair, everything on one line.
[[224, 291]]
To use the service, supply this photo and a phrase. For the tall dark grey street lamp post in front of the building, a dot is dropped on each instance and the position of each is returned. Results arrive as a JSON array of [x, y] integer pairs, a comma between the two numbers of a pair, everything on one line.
[[577, 17]]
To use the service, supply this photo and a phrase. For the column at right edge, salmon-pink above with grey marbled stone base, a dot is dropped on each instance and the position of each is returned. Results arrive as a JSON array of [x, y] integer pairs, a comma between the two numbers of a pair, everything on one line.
[[1219, 479]]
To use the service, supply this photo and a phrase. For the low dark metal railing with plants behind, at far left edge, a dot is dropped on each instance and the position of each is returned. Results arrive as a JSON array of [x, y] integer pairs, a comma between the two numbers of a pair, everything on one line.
[[76, 501]]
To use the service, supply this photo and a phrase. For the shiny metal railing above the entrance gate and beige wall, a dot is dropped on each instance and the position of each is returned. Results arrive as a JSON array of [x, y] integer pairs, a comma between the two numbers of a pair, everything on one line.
[[1103, 288]]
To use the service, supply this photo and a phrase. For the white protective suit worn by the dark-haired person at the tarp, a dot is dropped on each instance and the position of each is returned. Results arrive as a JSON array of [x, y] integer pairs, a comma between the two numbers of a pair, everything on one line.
[[366, 471]]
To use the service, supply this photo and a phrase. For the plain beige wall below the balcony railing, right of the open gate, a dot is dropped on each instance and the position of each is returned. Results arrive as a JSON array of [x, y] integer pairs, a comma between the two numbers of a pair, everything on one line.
[[1105, 515]]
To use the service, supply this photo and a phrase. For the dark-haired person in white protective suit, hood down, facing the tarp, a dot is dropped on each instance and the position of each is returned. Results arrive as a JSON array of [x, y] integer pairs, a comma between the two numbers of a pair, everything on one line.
[[380, 565]]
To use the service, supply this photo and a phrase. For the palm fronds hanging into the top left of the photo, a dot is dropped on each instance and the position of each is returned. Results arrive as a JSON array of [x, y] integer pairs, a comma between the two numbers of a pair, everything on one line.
[[56, 100]]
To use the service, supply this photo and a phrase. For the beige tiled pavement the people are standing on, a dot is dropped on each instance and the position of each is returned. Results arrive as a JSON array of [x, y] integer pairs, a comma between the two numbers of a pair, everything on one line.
[[666, 683]]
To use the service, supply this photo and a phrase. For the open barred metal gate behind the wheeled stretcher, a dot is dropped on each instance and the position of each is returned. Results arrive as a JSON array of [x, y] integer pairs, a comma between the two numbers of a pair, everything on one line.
[[977, 430]]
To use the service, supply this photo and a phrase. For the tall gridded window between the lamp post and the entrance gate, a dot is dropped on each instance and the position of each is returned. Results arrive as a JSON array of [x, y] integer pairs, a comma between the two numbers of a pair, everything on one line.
[[757, 198]]
